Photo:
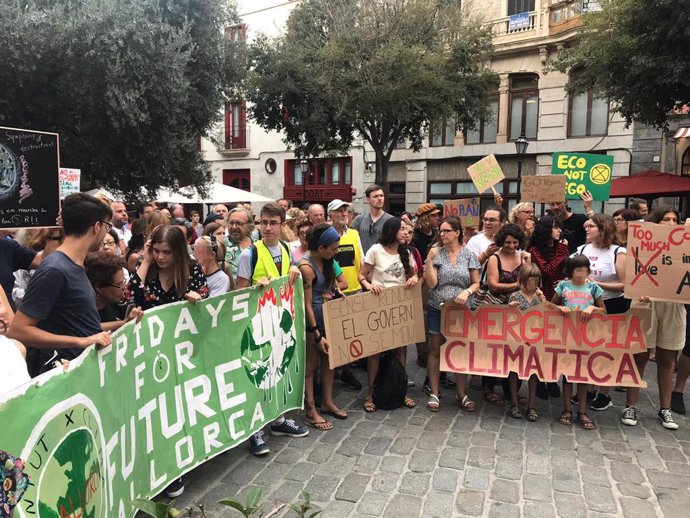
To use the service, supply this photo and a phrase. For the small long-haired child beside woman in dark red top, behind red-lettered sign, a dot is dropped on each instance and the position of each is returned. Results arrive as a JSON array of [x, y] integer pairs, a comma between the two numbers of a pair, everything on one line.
[[527, 296]]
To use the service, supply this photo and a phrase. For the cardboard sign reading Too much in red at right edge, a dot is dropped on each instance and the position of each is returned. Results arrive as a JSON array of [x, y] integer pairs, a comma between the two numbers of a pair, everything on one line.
[[658, 264]]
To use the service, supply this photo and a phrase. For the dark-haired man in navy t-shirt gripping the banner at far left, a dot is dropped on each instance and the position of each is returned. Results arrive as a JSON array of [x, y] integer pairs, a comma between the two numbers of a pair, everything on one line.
[[59, 307]]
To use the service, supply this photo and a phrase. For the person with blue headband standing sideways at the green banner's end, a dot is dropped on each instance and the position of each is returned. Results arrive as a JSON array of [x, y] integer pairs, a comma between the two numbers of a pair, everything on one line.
[[319, 274]]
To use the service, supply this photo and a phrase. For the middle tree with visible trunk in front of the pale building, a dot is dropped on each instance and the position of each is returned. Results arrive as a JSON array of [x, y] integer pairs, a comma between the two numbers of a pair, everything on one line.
[[381, 69]]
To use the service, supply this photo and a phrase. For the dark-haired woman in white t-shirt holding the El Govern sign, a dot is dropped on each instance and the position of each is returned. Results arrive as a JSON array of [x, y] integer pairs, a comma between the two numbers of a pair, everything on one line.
[[387, 264]]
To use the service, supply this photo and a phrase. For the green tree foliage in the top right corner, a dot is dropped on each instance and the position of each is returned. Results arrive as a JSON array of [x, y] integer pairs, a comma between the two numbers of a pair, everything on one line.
[[635, 53]]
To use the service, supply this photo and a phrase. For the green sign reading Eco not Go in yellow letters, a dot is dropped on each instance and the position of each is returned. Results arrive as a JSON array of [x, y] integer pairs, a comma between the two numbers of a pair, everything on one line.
[[584, 172]]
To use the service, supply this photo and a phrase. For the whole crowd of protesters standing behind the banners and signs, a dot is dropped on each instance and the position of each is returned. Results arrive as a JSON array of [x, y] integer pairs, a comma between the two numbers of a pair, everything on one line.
[[68, 287]]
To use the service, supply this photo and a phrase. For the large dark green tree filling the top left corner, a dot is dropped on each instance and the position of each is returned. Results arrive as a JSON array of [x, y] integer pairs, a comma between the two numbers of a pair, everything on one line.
[[130, 85]]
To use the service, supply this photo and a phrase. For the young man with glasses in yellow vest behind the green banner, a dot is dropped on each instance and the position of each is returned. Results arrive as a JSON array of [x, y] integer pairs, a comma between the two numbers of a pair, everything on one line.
[[269, 258]]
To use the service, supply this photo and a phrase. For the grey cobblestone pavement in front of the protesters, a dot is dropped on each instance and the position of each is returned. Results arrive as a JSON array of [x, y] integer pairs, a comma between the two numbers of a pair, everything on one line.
[[409, 463]]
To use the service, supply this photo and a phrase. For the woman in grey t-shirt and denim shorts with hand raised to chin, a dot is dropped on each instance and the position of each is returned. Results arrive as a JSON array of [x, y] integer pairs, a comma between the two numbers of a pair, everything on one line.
[[452, 273]]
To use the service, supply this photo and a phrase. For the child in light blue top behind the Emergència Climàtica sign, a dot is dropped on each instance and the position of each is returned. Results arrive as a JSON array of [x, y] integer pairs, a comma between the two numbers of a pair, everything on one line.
[[578, 294]]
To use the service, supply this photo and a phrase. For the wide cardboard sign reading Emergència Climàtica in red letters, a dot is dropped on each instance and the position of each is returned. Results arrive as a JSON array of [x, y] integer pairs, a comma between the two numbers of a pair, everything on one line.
[[496, 340]]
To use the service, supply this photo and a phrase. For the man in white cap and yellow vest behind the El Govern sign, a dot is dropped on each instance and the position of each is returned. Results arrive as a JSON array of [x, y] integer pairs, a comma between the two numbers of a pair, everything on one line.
[[349, 257]]
